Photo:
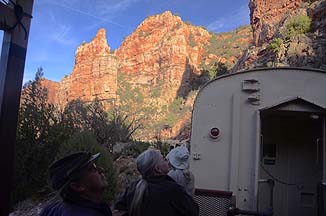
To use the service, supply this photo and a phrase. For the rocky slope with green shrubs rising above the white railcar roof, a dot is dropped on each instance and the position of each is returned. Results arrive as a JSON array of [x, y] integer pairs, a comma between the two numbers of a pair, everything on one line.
[[277, 44]]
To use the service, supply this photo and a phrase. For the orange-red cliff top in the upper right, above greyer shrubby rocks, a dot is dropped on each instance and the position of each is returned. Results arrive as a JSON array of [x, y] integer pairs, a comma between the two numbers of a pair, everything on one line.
[[266, 17]]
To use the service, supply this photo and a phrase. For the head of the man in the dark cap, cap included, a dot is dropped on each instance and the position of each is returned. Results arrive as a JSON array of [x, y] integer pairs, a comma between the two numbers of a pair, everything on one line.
[[77, 175]]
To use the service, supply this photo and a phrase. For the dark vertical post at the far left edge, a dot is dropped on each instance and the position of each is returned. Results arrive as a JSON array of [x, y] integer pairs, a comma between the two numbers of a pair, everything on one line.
[[12, 65]]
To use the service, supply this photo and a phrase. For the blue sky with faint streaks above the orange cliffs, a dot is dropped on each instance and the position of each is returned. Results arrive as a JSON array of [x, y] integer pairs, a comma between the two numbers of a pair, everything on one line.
[[60, 26]]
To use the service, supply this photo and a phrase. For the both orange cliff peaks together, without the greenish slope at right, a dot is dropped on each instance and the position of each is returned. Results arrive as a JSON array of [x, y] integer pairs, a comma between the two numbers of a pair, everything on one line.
[[163, 51]]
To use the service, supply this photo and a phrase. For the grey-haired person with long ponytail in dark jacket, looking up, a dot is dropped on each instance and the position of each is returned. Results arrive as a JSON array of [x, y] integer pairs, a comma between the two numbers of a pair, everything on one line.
[[155, 193]]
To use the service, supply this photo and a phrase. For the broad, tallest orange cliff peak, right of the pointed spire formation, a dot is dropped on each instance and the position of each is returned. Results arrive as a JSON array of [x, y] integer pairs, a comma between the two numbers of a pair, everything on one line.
[[164, 51]]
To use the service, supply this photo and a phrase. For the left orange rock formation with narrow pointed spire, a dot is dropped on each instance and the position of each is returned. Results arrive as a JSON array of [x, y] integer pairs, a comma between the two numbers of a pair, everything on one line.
[[94, 74]]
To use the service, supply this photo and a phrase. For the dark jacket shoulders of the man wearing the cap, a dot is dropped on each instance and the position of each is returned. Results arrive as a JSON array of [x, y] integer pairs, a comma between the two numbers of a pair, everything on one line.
[[79, 207]]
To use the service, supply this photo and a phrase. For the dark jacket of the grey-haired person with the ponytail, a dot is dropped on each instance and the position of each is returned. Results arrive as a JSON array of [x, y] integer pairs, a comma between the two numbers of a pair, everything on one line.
[[163, 197]]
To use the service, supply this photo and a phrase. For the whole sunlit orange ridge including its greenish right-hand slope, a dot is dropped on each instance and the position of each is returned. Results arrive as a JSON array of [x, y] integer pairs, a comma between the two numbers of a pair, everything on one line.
[[164, 54]]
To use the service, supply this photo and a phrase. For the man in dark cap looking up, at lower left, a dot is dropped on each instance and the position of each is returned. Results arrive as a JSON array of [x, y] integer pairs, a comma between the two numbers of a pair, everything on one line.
[[80, 184]]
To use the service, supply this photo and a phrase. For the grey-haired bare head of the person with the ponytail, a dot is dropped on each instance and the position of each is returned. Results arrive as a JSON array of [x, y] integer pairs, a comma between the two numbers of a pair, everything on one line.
[[151, 163]]
